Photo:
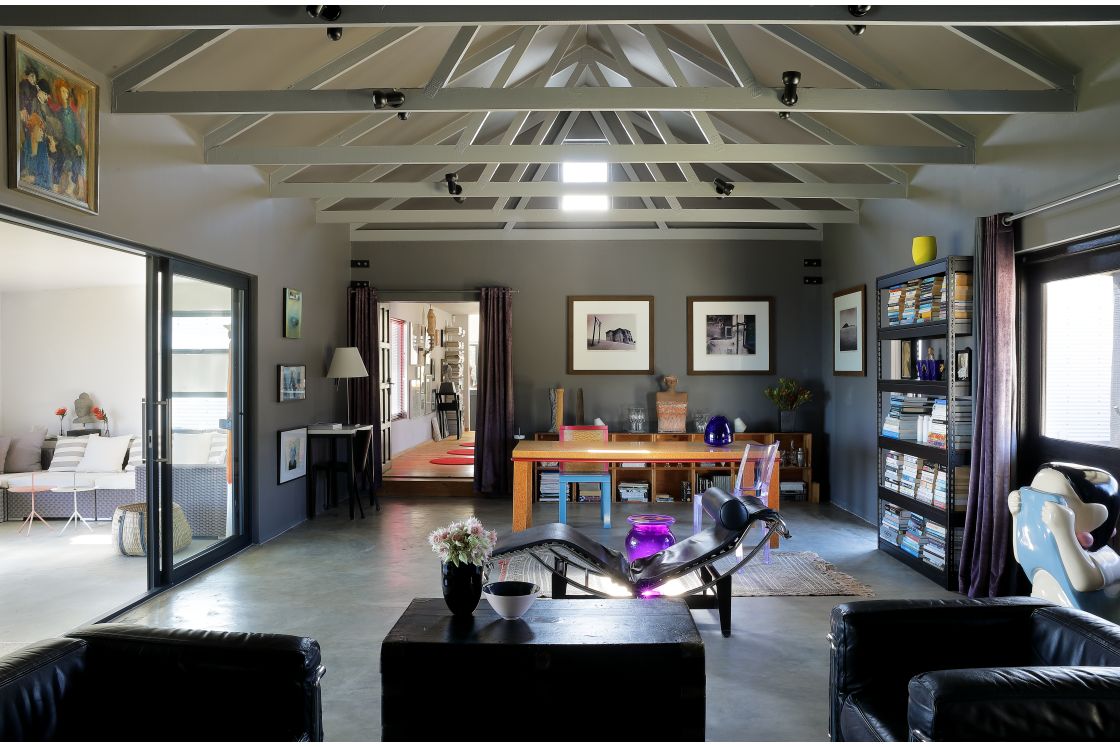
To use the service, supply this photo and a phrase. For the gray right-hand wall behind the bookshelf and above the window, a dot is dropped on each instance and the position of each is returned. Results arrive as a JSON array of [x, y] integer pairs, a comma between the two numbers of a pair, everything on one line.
[[1028, 161]]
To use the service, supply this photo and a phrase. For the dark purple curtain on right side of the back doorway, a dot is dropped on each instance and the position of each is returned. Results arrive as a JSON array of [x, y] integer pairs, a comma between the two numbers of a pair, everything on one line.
[[494, 434]]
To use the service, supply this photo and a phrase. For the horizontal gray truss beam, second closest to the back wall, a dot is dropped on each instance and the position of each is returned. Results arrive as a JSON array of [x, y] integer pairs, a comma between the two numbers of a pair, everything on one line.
[[623, 216]]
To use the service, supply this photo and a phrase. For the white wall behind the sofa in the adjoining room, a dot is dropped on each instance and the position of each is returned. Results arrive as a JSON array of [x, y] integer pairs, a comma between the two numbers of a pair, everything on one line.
[[61, 343]]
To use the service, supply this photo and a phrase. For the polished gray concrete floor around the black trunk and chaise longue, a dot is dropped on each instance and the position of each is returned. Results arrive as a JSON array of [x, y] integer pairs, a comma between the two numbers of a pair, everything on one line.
[[346, 583]]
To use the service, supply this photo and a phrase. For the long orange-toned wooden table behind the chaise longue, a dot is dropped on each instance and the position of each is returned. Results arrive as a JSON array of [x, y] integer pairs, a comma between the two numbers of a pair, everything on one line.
[[657, 453]]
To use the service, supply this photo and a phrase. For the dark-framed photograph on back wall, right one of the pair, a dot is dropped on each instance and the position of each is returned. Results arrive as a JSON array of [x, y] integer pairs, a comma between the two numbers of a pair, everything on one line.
[[731, 335]]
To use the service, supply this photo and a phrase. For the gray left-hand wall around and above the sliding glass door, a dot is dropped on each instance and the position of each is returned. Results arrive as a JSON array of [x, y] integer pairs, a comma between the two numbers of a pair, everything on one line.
[[156, 191]]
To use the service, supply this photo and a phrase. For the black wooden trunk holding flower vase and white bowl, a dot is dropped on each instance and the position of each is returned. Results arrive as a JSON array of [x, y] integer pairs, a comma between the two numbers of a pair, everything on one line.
[[570, 670]]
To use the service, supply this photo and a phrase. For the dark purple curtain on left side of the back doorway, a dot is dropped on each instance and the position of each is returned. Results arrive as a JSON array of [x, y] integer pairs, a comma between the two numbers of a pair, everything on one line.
[[362, 333]]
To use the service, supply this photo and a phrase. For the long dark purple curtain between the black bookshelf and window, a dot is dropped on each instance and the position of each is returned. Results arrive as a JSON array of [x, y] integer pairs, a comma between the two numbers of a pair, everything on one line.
[[988, 568]]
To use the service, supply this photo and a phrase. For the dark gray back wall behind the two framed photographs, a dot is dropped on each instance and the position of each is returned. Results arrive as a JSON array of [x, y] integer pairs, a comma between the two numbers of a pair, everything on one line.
[[547, 273]]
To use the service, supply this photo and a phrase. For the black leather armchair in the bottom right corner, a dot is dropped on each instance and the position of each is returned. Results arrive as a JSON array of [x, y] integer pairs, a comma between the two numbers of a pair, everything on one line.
[[1007, 669]]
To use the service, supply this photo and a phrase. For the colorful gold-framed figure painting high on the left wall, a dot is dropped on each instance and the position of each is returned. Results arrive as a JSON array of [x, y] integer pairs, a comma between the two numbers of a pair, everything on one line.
[[52, 129]]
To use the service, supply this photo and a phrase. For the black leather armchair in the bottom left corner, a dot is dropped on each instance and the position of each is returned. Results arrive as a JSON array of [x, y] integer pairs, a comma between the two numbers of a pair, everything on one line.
[[133, 684]]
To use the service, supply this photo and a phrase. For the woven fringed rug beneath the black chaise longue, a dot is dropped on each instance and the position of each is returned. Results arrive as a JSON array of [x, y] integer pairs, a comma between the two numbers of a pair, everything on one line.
[[789, 575]]
